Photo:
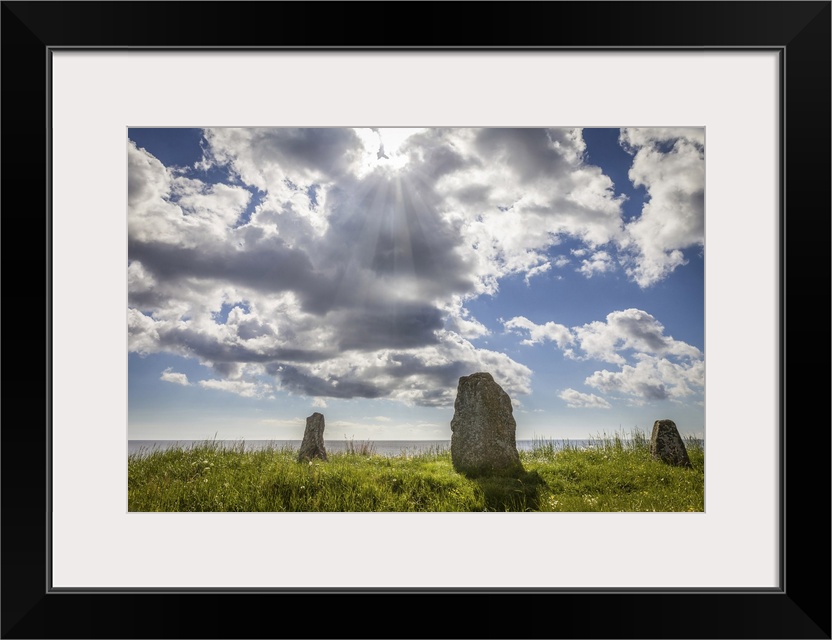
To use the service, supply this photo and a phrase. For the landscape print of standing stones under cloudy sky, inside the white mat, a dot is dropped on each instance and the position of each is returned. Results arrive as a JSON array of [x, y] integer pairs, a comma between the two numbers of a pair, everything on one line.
[[377, 319]]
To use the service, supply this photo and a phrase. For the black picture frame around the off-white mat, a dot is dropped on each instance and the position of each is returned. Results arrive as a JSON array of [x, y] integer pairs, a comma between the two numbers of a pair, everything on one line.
[[800, 608]]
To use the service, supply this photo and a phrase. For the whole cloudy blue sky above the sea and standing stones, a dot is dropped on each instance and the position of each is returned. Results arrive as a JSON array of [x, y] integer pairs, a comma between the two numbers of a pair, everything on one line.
[[276, 272]]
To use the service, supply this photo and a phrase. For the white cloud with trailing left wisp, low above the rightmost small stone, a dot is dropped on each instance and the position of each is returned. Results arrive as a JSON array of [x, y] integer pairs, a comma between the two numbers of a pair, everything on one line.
[[652, 366]]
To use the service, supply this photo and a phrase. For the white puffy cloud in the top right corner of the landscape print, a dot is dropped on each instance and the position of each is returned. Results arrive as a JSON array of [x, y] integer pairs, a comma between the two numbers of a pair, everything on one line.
[[670, 164]]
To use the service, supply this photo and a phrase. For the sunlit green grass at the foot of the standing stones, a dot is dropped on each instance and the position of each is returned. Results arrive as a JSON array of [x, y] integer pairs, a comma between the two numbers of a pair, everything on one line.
[[616, 473]]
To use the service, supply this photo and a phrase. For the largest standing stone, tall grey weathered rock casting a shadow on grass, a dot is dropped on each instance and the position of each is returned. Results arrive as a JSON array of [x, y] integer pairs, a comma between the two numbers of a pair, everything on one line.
[[483, 428]]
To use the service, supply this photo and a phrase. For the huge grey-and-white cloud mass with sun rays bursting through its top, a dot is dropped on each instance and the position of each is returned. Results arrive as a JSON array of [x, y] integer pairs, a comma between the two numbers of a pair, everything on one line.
[[348, 275]]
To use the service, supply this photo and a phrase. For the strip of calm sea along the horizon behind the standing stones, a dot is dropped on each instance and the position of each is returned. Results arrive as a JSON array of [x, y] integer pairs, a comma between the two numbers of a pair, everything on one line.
[[380, 447]]
